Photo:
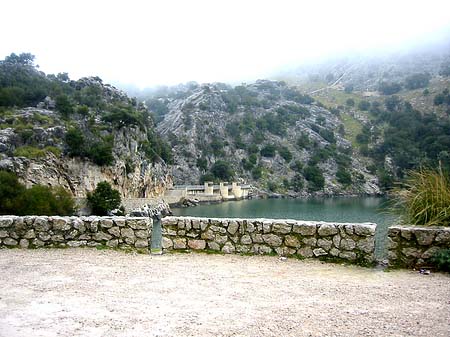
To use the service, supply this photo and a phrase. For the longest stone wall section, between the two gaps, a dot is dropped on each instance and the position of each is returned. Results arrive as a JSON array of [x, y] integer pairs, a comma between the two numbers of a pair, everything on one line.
[[345, 241]]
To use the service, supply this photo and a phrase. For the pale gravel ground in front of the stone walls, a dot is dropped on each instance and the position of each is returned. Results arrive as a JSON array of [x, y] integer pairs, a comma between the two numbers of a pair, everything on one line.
[[87, 292]]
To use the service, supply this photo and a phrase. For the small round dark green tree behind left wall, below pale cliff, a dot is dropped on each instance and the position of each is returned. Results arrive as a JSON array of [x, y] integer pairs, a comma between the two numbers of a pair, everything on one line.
[[103, 199]]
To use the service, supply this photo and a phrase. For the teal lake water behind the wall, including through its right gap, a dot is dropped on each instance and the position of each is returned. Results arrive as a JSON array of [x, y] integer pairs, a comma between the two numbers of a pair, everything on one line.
[[339, 209]]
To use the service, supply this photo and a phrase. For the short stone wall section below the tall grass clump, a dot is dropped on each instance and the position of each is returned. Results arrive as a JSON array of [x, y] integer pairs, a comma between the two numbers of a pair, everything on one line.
[[412, 247]]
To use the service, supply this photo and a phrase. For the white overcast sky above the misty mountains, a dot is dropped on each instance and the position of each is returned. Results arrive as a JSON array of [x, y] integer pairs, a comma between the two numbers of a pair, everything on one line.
[[166, 42]]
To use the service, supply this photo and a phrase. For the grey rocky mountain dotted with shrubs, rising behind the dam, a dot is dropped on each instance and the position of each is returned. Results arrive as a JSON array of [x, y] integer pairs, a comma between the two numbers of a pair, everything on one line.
[[266, 133]]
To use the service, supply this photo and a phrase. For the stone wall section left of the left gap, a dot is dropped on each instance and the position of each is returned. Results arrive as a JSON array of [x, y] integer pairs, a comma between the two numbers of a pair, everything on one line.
[[43, 231]]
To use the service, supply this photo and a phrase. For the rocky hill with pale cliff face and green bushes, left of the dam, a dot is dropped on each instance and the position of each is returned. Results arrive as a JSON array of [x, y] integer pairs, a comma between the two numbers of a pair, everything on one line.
[[75, 134]]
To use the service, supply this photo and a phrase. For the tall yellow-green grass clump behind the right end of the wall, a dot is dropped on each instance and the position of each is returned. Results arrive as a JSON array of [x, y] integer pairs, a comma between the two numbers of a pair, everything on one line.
[[424, 199]]
